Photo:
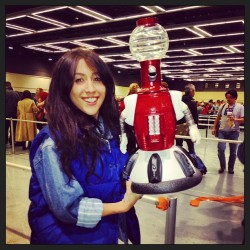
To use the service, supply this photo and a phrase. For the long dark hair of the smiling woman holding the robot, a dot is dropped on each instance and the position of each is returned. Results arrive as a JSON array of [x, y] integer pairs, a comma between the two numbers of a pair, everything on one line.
[[73, 130]]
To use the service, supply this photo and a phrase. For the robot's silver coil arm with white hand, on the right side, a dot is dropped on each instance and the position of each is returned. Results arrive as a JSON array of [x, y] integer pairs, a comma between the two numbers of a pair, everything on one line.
[[193, 129]]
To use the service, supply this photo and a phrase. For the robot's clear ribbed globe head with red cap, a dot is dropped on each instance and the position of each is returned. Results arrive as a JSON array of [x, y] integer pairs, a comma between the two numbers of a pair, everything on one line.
[[149, 40]]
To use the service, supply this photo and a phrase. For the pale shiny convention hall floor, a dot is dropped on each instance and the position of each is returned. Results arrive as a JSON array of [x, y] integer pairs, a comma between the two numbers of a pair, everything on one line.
[[212, 222]]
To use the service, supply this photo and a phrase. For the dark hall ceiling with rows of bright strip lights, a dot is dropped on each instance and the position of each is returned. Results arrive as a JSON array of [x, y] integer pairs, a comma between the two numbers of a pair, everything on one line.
[[206, 43]]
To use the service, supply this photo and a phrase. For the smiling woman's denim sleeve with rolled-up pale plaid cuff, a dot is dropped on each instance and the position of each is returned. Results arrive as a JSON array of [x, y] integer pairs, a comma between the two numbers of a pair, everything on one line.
[[65, 198]]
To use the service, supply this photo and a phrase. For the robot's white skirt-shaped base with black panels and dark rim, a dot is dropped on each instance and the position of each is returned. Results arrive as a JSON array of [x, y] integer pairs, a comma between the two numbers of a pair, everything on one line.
[[159, 172]]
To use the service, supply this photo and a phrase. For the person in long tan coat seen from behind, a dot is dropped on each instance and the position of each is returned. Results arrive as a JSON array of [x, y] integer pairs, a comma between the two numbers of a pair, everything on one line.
[[26, 109]]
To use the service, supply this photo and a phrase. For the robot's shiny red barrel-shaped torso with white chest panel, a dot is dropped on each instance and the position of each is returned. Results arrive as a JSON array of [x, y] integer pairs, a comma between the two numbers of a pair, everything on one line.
[[154, 125]]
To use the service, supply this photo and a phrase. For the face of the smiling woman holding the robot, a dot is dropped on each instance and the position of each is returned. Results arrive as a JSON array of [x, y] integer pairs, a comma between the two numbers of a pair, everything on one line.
[[88, 91]]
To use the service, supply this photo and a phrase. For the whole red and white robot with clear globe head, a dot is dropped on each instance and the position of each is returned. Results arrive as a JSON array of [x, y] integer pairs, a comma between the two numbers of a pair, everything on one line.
[[157, 166]]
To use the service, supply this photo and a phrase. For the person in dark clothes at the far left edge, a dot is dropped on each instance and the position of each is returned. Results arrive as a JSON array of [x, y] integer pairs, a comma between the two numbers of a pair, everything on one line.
[[11, 100]]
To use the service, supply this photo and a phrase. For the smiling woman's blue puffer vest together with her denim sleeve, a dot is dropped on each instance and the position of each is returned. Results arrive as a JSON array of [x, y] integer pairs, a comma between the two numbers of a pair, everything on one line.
[[54, 216]]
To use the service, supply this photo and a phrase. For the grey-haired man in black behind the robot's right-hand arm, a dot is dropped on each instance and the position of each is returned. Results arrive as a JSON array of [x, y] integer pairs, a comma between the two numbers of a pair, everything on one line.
[[189, 100]]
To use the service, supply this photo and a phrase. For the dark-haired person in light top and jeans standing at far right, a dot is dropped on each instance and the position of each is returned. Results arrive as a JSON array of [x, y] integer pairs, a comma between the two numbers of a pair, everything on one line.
[[230, 115]]
